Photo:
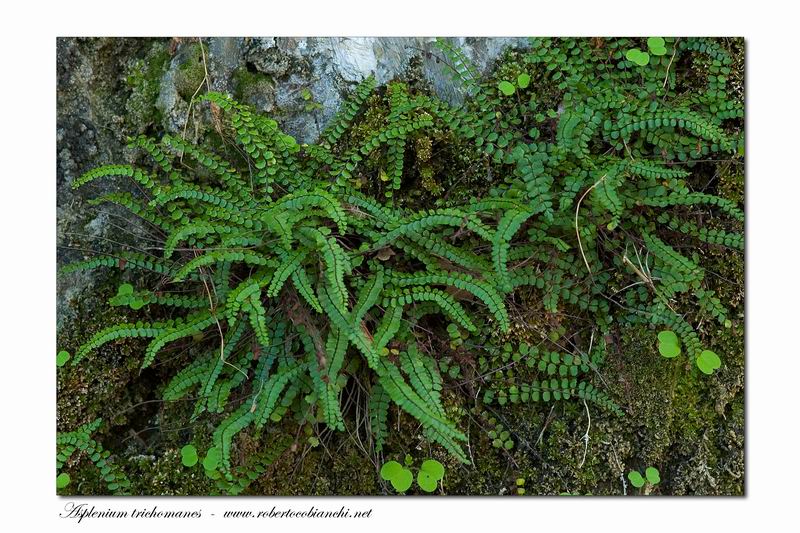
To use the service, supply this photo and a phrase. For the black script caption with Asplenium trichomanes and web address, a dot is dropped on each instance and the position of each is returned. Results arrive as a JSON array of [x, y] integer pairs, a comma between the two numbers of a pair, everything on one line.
[[83, 511]]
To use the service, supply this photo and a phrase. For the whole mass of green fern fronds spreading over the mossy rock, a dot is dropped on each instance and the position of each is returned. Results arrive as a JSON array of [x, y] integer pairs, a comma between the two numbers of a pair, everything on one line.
[[390, 286]]
